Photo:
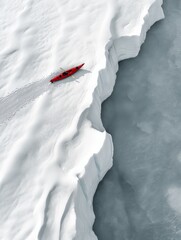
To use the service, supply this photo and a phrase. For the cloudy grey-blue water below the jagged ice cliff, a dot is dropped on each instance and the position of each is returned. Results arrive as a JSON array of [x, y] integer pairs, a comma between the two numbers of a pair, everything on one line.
[[140, 197]]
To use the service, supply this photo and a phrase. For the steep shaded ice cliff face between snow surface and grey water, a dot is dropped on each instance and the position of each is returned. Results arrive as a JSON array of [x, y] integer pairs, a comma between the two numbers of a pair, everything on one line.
[[118, 48]]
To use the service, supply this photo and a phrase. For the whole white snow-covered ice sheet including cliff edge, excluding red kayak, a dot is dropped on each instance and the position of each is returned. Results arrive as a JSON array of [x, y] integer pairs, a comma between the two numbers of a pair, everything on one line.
[[54, 149]]
